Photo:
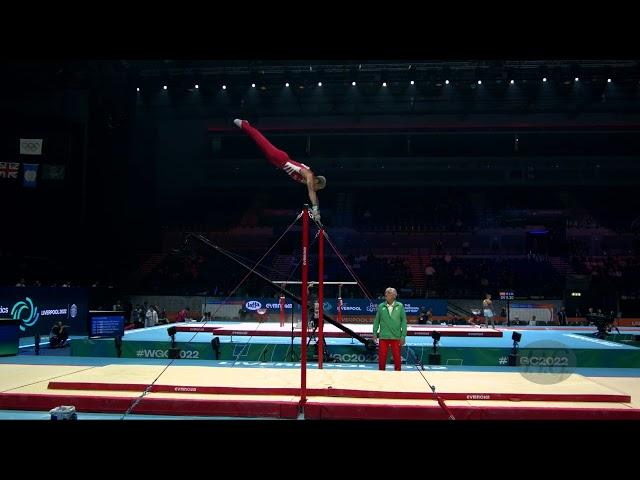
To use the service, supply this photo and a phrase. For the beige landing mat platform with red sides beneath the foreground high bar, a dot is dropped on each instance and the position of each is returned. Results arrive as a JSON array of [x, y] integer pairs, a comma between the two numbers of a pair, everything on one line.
[[109, 388]]
